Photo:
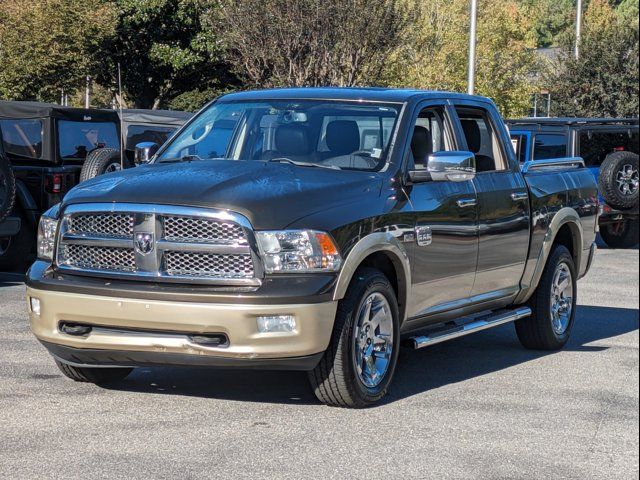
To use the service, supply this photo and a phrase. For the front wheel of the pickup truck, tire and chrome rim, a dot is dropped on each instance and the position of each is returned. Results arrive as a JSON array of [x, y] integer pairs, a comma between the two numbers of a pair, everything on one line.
[[358, 366]]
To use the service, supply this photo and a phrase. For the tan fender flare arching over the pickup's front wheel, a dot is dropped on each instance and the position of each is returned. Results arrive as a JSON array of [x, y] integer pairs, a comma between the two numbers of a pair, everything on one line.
[[377, 242]]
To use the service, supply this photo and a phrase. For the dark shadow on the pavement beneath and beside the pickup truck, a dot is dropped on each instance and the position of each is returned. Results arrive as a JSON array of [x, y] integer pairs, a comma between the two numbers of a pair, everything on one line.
[[418, 371]]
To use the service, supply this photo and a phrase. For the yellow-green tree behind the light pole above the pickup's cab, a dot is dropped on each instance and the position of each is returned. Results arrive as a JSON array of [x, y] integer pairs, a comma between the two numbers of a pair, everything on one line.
[[434, 53]]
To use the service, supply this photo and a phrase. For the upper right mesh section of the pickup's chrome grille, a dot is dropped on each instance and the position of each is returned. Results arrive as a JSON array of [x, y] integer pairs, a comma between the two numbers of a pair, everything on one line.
[[190, 229]]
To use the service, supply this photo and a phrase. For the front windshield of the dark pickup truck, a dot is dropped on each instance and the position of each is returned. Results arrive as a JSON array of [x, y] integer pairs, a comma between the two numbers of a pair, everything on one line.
[[314, 133]]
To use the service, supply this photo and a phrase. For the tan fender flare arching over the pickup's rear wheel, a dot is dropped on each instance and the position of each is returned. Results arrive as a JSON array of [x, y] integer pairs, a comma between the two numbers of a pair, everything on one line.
[[532, 275]]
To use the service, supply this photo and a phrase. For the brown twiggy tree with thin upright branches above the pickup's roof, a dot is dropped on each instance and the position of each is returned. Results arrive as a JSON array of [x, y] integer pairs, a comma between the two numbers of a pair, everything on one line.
[[309, 42]]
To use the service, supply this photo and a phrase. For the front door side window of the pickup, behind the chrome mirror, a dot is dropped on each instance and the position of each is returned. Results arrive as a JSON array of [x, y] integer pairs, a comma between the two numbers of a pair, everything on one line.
[[430, 135]]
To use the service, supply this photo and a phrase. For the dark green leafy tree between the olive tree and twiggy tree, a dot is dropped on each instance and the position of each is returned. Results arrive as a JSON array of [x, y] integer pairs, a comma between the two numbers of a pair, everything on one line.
[[164, 50]]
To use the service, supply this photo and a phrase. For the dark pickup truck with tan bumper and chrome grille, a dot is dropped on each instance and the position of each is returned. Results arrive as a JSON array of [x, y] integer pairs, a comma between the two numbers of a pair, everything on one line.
[[317, 230]]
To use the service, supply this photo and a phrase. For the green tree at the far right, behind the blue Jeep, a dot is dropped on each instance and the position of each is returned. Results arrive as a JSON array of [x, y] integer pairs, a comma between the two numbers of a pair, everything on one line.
[[603, 82]]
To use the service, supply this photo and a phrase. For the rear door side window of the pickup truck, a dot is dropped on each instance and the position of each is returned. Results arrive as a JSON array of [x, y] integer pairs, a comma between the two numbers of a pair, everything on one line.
[[482, 139]]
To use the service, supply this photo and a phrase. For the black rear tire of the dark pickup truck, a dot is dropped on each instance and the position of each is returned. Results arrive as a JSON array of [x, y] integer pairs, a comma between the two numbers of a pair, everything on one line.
[[539, 331]]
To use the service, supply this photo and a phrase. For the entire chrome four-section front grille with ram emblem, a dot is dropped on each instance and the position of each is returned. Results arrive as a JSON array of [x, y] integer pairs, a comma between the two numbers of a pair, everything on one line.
[[159, 243]]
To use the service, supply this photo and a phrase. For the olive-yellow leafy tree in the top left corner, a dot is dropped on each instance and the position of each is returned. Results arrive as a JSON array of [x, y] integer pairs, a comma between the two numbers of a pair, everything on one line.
[[50, 45]]
